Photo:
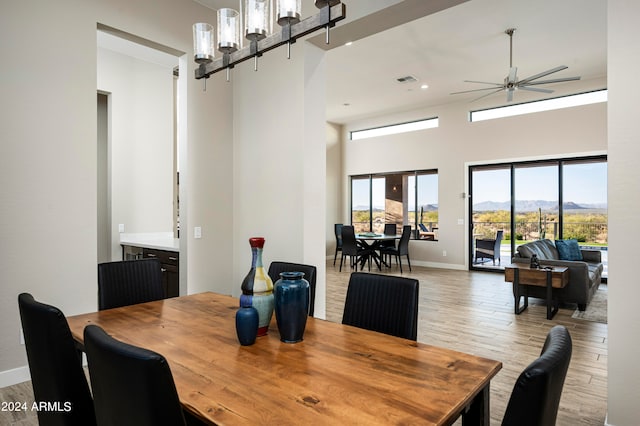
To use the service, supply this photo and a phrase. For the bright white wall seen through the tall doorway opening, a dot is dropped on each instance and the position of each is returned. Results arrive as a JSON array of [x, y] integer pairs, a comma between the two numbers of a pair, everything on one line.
[[141, 144]]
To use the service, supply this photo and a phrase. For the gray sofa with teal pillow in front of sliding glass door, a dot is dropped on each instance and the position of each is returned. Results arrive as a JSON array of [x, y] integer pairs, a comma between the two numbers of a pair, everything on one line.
[[584, 276]]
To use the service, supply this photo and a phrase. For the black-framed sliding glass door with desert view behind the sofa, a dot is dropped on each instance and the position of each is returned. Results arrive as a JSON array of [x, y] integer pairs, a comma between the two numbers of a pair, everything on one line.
[[527, 201]]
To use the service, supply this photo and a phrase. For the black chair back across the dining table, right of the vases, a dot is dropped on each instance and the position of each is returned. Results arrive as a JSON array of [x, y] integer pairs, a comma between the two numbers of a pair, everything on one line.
[[382, 303]]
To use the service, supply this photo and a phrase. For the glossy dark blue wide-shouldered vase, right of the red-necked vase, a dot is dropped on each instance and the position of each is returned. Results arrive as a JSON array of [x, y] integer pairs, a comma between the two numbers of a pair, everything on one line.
[[291, 299]]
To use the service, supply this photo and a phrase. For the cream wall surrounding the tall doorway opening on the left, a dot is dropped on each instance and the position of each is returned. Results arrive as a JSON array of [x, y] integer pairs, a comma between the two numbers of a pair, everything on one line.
[[48, 154]]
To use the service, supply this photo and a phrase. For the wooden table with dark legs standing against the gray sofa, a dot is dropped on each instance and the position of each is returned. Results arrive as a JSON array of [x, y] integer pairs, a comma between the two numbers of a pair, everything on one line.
[[521, 274]]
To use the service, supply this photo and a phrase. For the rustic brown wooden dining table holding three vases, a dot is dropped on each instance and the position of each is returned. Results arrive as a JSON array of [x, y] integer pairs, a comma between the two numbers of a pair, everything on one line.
[[338, 375]]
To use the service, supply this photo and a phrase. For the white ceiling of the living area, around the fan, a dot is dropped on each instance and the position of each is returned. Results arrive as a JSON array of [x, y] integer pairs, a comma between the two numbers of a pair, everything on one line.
[[467, 42]]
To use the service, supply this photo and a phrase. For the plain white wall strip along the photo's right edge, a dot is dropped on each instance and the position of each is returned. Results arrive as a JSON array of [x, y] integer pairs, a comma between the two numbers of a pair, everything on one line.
[[624, 204]]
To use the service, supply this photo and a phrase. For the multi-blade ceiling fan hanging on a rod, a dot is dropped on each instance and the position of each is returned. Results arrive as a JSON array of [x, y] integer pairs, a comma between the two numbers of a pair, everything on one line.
[[511, 82]]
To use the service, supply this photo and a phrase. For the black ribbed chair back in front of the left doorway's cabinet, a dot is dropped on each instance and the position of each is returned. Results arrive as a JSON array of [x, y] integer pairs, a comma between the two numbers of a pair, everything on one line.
[[129, 282]]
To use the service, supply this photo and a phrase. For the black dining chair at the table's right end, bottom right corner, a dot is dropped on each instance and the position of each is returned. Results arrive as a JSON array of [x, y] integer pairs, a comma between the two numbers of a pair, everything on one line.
[[536, 394]]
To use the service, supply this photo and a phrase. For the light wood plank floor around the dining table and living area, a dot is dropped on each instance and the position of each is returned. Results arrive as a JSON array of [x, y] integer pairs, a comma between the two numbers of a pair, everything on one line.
[[472, 312]]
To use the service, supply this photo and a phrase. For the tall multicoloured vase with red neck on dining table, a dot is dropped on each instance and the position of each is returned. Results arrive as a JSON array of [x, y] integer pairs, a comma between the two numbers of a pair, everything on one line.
[[257, 287]]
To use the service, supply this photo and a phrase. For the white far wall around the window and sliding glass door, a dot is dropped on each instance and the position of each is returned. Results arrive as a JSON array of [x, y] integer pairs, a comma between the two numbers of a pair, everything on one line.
[[458, 142]]
